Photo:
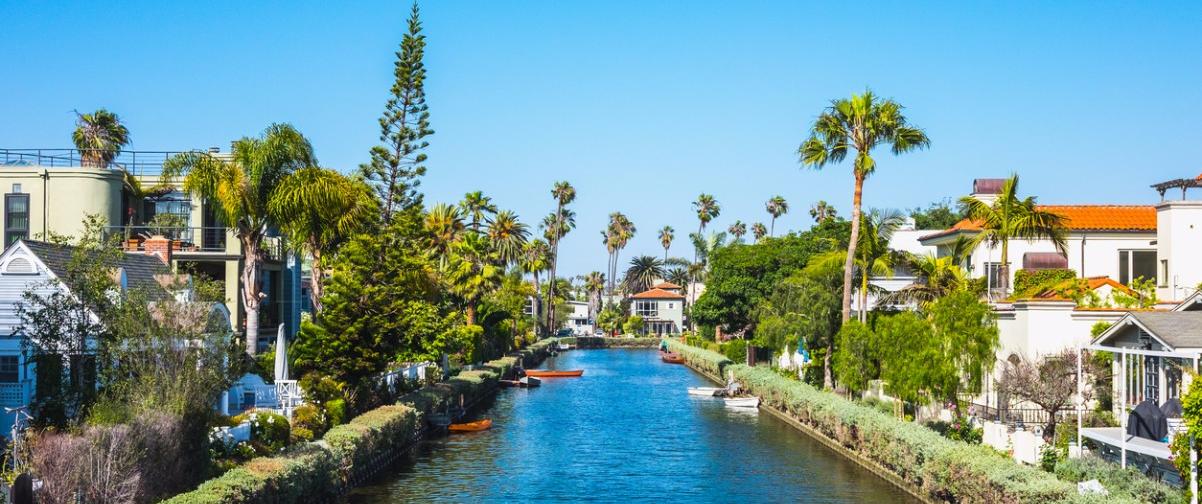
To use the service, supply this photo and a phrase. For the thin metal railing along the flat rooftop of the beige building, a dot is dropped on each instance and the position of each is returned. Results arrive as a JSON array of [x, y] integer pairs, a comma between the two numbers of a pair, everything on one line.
[[138, 163]]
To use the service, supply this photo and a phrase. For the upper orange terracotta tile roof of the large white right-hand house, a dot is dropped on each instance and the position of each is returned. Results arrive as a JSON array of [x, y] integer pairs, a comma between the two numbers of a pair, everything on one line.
[[1084, 218]]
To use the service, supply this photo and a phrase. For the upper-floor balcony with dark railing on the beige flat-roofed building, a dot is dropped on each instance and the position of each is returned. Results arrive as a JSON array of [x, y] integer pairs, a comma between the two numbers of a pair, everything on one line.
[[192, 241]]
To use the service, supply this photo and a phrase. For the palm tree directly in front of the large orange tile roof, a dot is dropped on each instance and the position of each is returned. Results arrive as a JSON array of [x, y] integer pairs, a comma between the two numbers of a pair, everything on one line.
[[1010, 217]]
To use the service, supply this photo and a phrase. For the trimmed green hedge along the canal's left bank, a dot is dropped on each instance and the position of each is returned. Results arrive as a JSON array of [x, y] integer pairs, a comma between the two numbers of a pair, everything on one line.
[[319, 472]]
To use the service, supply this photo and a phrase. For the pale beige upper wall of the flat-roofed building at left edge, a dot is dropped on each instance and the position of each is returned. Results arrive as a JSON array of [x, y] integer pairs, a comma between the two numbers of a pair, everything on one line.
[[61, 198]]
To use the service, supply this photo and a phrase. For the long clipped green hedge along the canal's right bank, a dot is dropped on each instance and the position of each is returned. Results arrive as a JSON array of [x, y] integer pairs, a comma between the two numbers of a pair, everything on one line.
[[943, 469]]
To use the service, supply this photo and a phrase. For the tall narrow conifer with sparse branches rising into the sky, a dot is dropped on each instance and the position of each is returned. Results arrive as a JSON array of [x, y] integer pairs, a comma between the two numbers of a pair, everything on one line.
[[398, 163]]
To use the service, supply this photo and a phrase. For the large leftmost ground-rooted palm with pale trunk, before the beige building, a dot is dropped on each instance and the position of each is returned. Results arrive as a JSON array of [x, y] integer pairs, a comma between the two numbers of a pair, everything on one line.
[[242, 186]]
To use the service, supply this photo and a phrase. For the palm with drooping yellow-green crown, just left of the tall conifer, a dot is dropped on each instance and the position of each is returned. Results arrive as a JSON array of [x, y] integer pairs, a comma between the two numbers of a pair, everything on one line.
[[318, 211]]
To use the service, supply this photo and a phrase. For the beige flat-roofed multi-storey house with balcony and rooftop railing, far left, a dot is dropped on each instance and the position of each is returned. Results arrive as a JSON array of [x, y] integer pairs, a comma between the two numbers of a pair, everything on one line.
[[51, 192]]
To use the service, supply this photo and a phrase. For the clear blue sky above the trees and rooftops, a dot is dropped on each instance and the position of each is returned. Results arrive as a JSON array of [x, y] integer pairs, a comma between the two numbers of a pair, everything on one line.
[[642, 105]]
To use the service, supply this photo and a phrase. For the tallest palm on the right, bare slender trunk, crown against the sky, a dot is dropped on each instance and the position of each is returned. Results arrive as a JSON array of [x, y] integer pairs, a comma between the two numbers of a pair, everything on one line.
[[861, 123]]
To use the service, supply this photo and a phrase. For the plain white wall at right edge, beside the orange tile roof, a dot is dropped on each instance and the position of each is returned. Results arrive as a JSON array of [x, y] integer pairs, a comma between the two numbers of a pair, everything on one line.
[[1180, 246]]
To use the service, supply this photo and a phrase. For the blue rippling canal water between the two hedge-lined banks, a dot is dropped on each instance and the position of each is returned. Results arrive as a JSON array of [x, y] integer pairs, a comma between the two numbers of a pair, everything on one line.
[[626, 431]]
